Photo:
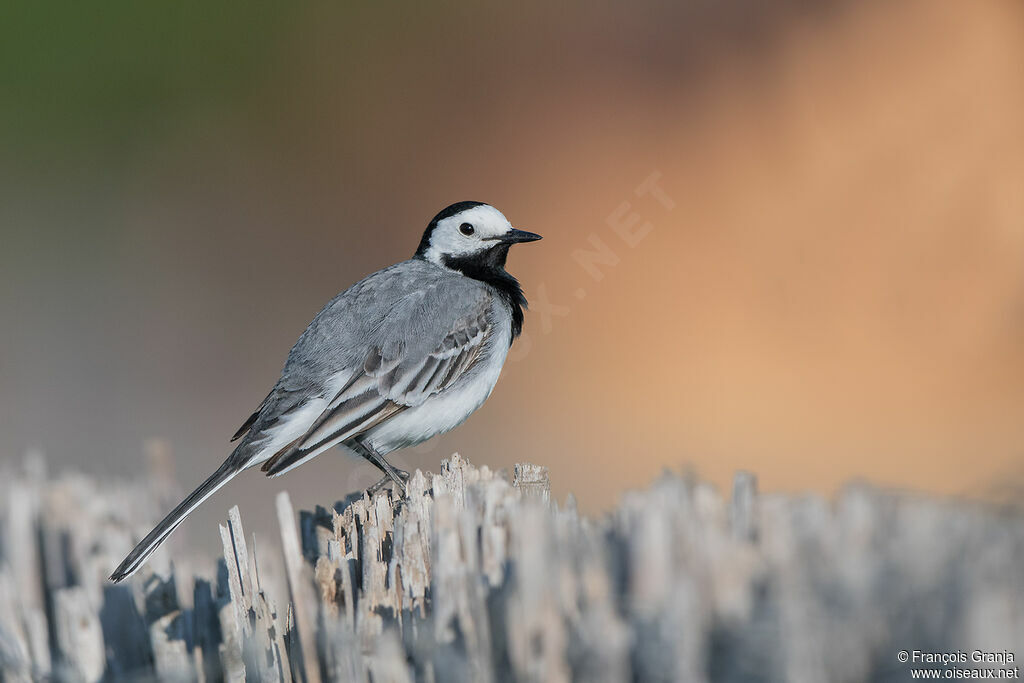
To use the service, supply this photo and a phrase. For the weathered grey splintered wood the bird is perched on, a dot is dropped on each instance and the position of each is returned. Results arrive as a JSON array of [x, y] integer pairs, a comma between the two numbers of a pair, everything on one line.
[[475, 577]]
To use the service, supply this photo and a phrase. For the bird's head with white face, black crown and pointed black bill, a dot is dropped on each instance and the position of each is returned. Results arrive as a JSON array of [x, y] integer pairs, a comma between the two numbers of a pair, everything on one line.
[[471, 234]]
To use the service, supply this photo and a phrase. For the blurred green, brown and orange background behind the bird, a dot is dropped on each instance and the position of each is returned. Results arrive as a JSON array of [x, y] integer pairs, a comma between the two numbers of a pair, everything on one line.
[[822, 275]]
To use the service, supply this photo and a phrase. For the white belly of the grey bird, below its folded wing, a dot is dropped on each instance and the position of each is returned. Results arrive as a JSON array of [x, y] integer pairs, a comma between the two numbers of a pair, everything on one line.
[[447, 410]]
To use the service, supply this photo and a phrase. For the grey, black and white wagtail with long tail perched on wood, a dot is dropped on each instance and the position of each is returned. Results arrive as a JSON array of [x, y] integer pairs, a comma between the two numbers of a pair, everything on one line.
[[407, 354]]
